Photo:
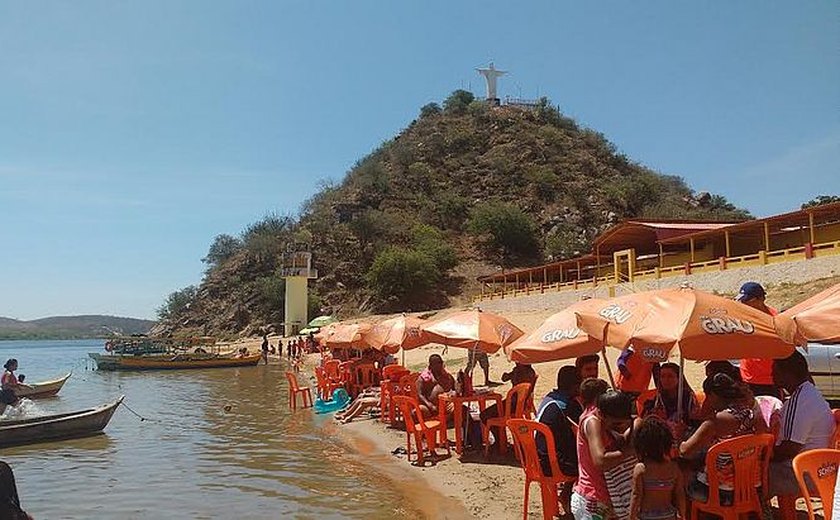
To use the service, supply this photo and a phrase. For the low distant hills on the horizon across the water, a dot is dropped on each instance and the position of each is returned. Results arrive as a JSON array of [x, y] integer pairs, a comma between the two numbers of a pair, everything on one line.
[[72, 327]]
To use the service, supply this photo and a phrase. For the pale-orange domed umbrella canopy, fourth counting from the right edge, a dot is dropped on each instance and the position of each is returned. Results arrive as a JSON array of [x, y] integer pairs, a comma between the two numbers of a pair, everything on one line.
[[484, 331]]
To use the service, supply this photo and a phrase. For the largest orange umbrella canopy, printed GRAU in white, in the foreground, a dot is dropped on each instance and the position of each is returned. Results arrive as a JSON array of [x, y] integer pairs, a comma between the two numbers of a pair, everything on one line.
[[704, 326]]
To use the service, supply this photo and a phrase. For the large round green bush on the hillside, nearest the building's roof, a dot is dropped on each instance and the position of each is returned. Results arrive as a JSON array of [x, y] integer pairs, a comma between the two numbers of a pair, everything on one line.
[[505, 231]]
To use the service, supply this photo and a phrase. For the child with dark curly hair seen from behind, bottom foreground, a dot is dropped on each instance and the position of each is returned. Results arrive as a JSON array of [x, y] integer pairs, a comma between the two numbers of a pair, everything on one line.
[[658, 491]]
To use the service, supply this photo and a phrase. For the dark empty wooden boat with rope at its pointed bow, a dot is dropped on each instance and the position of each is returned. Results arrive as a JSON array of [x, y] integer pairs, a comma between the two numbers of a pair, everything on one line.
[[71, 425]]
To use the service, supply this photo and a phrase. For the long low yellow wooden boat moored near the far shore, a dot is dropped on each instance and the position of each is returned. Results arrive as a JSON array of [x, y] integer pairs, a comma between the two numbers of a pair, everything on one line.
[[174, 361]]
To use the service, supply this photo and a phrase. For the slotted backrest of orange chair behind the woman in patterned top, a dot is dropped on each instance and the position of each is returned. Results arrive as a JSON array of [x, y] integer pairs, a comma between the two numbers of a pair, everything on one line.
[[750, 456]]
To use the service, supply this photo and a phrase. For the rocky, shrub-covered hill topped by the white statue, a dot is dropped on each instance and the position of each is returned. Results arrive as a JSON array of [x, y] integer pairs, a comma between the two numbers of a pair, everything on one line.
[[466, 187]]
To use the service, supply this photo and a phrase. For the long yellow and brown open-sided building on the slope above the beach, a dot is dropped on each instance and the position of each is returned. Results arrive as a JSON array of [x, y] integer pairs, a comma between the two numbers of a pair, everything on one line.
[[649, 249]]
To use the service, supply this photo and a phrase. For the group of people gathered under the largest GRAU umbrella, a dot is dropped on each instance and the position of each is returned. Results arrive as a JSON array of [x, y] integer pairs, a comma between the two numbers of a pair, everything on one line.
[[657, 458]]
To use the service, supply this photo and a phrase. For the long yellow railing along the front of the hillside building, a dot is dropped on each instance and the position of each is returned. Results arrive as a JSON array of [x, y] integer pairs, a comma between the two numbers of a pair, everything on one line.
[[720, 264]]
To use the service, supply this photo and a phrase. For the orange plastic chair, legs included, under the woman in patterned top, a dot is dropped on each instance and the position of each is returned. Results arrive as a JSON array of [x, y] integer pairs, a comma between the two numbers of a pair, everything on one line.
[[750, 457]]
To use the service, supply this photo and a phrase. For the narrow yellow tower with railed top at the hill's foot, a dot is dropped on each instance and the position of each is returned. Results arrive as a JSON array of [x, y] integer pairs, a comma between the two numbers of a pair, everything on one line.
[[297, 271]]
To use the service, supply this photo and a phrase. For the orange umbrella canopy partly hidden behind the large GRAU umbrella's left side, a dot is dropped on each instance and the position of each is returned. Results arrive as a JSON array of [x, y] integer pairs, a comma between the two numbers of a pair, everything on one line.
[[557, 338]]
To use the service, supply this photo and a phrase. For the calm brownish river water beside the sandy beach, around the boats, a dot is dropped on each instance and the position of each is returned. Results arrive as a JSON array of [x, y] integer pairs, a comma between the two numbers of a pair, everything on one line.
[[190, 459]]
